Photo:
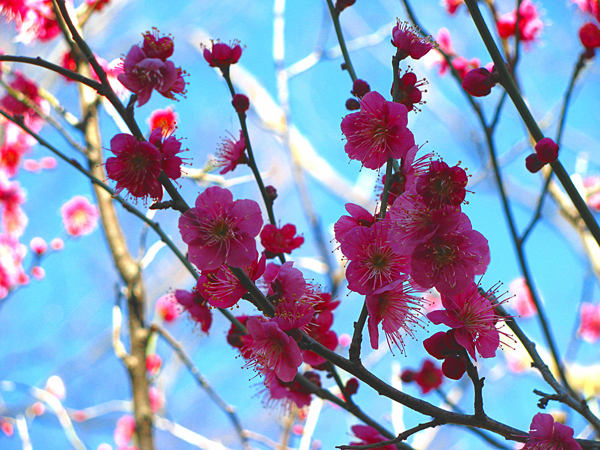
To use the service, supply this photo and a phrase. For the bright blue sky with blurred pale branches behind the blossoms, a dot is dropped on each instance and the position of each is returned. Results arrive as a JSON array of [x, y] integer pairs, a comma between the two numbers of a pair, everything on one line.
[[61, 325]]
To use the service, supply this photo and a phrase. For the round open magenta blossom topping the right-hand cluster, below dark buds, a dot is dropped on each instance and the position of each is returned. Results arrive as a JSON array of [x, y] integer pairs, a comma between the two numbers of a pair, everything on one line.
[[378, 132]]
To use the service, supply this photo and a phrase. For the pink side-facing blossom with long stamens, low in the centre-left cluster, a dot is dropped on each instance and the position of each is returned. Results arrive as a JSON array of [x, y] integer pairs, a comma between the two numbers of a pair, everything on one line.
[[272, 350]]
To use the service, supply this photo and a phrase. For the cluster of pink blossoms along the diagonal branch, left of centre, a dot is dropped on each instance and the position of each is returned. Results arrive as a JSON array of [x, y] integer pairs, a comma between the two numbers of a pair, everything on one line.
[[221, 234]]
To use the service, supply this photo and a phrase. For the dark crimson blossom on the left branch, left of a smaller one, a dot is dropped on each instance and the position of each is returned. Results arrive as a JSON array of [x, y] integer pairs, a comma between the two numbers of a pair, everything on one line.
[[136, 166]]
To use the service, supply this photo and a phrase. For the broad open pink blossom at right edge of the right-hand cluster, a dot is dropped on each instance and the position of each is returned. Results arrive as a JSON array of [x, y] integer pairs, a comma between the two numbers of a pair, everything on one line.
[[450, 261]]
